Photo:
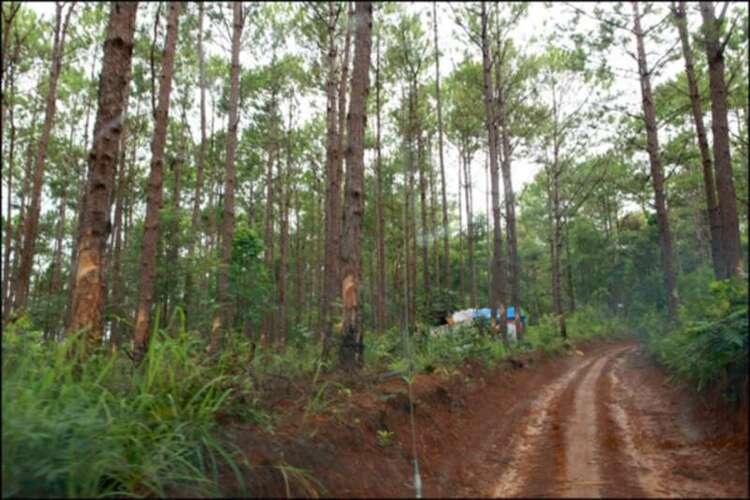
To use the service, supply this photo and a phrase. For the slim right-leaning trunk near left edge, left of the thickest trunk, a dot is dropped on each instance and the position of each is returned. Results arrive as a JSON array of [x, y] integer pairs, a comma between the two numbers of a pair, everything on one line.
[[31, 222]]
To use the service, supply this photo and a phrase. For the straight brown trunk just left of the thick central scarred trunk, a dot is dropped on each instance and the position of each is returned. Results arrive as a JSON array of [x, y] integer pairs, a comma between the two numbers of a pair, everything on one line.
[[333, 190]]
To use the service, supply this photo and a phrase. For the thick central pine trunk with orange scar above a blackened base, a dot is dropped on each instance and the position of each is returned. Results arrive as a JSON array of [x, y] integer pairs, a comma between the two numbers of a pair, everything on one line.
[[351, 352]]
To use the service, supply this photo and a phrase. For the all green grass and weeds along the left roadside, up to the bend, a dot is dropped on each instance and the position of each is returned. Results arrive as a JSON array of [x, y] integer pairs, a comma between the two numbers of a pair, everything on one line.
[[109, 429]]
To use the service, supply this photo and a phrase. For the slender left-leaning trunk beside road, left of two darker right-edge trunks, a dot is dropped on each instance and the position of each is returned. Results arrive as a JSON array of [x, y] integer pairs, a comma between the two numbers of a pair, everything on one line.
[[657, 174]]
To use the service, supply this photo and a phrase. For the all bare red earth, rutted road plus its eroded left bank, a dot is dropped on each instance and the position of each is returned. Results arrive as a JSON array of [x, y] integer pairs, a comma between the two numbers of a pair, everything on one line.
[[602, 420]]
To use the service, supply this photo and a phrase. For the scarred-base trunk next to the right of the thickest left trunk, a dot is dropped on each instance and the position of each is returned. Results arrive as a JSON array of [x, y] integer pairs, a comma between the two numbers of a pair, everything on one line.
[[155, 188]]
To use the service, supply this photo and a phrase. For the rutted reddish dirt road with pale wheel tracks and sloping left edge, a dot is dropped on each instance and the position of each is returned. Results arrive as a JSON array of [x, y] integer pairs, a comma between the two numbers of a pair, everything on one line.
[[605, 424]]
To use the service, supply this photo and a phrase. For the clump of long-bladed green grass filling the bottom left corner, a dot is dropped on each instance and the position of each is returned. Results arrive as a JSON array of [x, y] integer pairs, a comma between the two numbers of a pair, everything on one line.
[[102, 428]]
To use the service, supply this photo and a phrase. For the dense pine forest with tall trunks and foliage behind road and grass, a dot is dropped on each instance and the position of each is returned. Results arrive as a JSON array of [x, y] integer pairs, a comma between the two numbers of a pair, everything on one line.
[[195, 172]]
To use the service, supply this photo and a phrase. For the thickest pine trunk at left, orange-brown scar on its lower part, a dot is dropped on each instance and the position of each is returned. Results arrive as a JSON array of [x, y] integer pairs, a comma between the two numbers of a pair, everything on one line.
[[89, 288]]
